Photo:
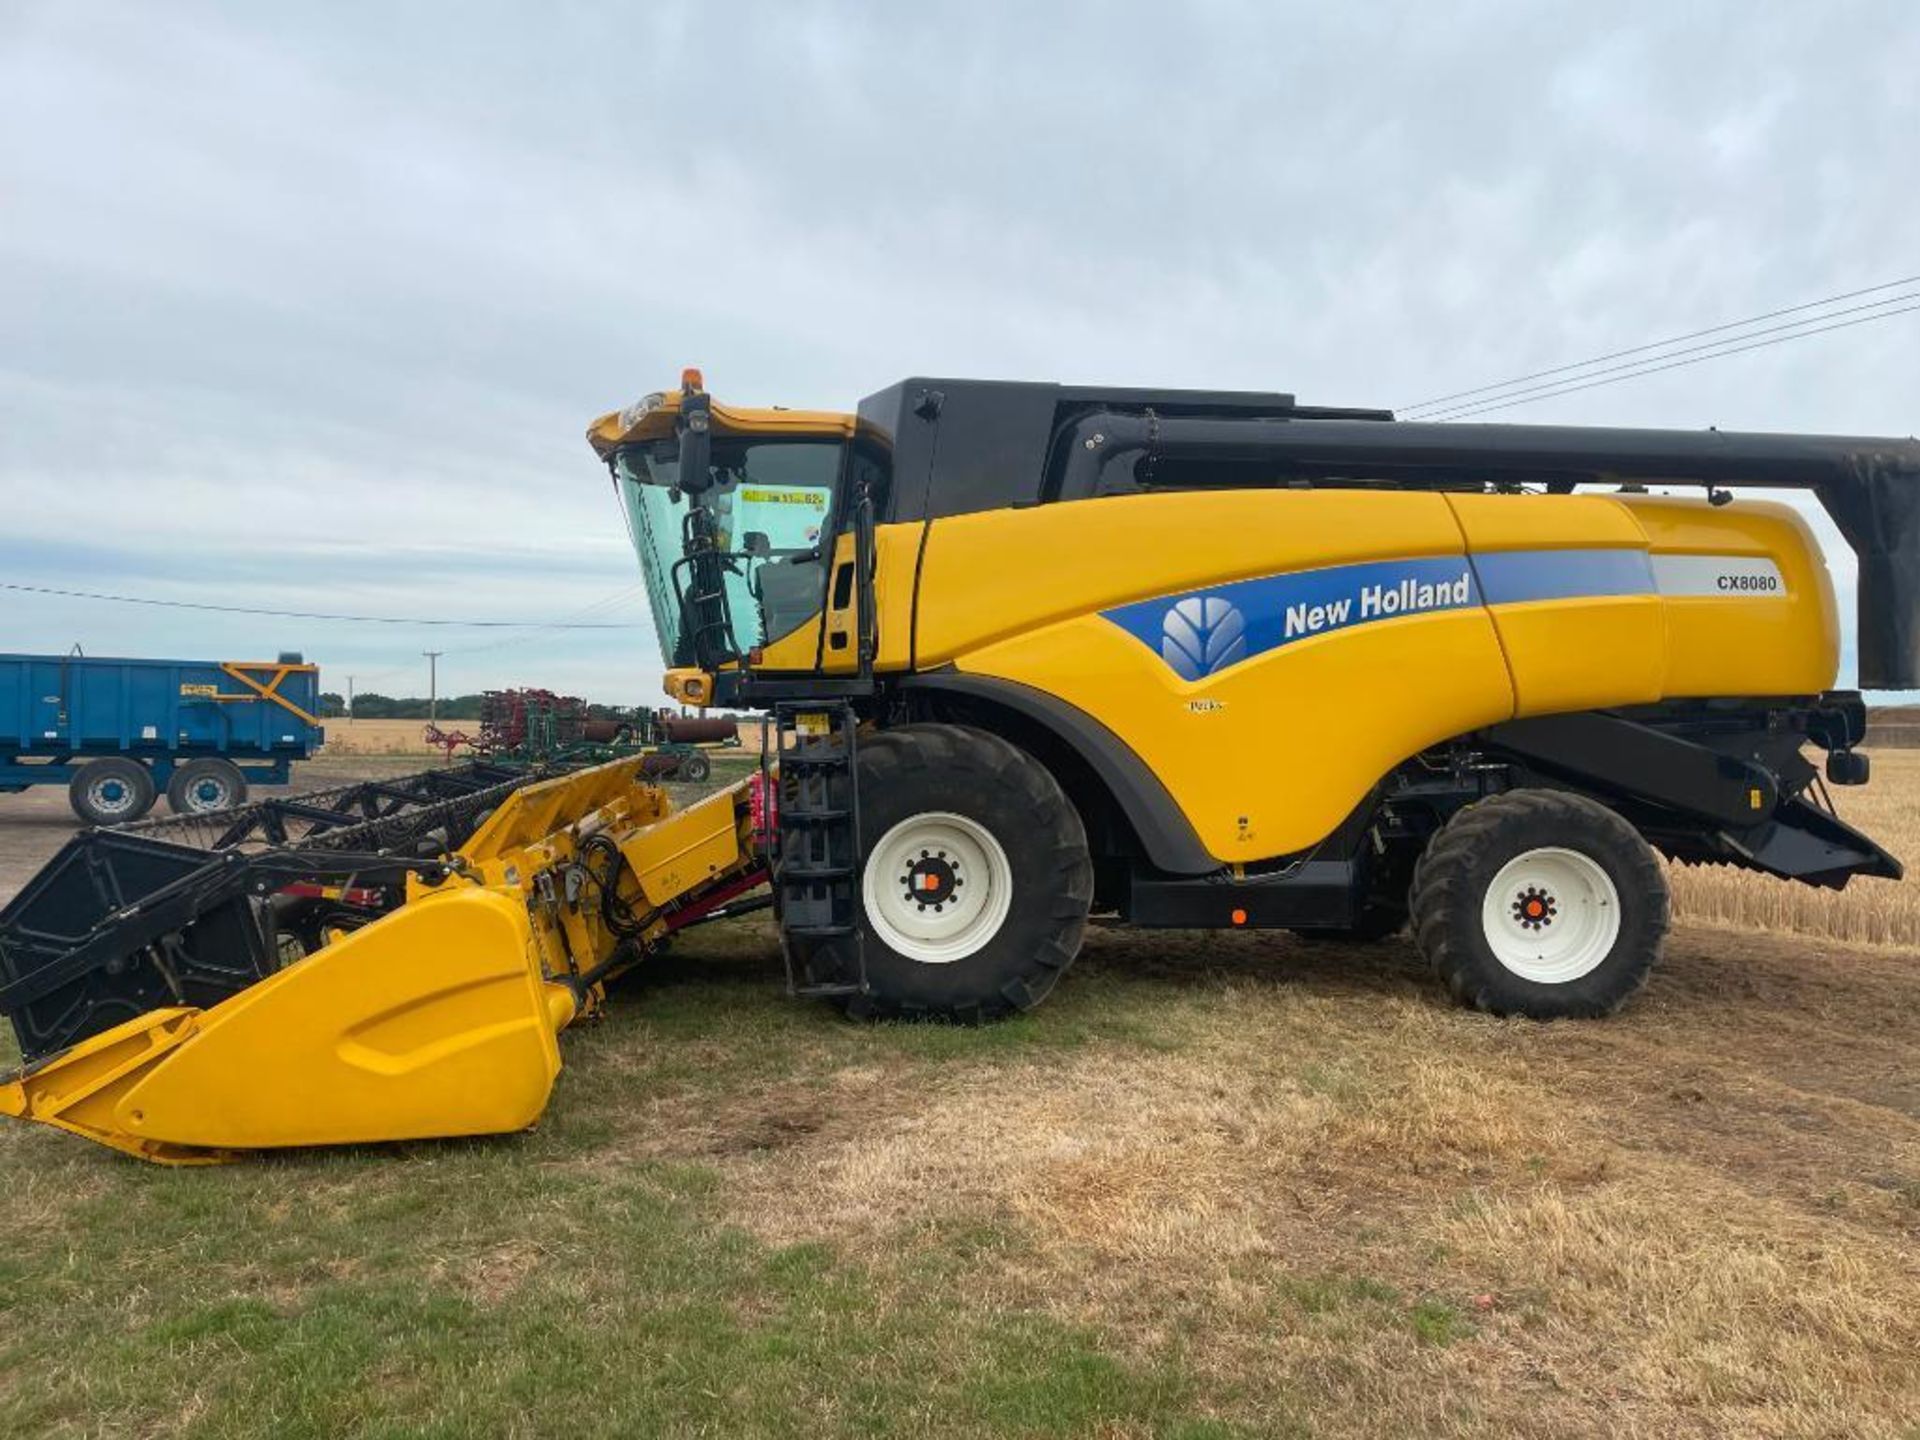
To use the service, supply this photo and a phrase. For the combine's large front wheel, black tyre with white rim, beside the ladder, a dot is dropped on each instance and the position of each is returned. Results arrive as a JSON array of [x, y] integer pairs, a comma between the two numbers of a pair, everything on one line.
[[976, 878]]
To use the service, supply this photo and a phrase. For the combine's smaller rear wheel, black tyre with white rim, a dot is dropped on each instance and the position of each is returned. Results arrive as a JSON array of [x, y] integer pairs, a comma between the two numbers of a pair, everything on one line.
[[1541, 903]]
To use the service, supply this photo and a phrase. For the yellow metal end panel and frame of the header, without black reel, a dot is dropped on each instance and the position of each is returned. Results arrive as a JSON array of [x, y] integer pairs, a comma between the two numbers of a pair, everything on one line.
[[439, 1020]]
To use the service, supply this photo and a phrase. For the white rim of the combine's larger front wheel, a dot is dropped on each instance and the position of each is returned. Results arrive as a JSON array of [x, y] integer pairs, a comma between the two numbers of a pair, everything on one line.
[[938, 888]]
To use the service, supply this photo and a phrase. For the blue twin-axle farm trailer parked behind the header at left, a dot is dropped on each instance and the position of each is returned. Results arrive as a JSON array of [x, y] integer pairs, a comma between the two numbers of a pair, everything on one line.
[[118, 734]]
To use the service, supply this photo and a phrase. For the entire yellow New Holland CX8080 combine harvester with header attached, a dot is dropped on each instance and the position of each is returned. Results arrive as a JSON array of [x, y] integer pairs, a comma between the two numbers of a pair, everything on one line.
[[1030, 654]]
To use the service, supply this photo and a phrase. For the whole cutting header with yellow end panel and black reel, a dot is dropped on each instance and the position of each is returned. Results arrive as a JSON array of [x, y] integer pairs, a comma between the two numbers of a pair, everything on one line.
[[398, 969]]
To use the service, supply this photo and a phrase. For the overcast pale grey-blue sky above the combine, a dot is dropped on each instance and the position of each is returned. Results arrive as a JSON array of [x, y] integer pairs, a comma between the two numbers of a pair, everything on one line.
[[308, 308]]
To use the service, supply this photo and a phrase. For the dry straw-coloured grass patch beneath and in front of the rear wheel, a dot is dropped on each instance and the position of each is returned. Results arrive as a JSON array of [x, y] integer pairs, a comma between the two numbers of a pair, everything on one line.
[[1355, 1211]]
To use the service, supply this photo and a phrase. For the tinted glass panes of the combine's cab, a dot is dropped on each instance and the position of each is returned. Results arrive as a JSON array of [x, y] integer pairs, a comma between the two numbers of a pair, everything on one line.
[[771, 504]]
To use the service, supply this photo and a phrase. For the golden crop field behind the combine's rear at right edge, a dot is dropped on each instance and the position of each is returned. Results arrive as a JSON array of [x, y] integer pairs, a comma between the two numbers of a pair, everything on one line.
[[1869, 911]]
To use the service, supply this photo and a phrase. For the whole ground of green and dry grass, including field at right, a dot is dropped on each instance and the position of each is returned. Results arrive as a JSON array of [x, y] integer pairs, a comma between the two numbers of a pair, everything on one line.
[[1220, 1186]]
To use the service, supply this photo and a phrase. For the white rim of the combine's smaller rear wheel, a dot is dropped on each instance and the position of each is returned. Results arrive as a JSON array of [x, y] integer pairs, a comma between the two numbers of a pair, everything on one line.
[[1552, 915]]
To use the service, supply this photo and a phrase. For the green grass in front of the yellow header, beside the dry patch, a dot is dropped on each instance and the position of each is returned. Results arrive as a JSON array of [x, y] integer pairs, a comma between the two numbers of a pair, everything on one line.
[[550, 1284]]
